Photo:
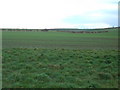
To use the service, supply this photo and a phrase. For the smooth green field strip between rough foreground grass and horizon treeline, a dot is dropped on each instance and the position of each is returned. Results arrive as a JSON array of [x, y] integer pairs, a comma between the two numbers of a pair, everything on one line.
[[60, 40]]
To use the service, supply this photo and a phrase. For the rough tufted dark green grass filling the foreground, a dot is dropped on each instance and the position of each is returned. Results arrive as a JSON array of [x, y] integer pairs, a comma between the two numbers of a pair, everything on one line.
[[59, 68]]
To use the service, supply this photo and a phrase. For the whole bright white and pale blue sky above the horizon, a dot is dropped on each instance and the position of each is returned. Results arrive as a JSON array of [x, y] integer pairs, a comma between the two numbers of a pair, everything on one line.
[[39, 14]]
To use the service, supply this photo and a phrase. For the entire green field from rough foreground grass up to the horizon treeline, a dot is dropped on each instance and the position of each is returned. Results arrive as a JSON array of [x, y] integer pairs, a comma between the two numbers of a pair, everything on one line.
[[60, 60]]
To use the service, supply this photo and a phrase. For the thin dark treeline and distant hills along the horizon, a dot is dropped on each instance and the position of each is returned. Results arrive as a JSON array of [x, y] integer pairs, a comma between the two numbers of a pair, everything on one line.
[[56, 29]]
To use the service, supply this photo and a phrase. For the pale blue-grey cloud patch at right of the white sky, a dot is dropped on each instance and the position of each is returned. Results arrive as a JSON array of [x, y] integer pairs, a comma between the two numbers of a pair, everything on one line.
[[109, 17]]
